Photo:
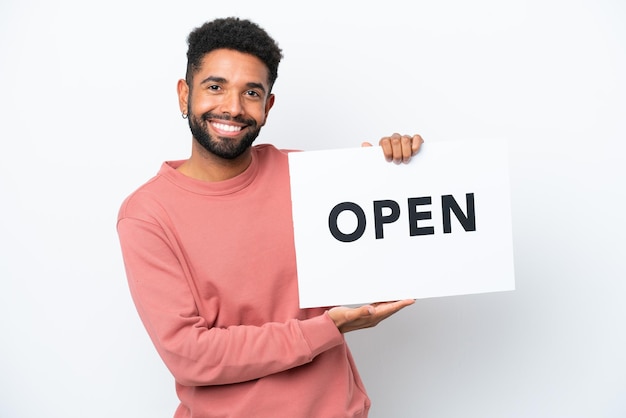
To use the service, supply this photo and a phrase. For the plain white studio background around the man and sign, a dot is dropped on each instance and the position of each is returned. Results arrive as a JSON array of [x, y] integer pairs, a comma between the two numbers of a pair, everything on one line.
[[88, 112]]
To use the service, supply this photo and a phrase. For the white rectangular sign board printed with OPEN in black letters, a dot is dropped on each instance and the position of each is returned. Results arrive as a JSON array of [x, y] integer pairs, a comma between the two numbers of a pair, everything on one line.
[[367, 230]]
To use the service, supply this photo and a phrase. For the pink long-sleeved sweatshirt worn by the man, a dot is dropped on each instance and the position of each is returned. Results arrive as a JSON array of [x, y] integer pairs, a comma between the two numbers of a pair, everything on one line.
[[211, 269]]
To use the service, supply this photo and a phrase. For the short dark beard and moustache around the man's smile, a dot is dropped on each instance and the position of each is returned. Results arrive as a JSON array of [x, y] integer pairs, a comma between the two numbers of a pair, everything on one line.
[[222, 147]]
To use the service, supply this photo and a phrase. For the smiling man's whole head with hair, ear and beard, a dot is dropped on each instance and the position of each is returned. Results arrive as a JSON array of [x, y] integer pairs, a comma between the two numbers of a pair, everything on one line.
[[232, 65]]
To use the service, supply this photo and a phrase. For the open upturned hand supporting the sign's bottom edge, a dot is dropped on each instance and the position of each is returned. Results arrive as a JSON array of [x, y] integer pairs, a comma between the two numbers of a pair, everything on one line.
[[366, 316]]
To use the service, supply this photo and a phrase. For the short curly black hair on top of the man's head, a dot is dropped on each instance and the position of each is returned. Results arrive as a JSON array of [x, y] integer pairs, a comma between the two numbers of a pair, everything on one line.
[[232, 33]]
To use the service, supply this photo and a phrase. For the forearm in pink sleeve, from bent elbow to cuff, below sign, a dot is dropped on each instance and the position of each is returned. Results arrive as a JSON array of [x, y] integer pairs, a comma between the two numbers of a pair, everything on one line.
[[200, 356]]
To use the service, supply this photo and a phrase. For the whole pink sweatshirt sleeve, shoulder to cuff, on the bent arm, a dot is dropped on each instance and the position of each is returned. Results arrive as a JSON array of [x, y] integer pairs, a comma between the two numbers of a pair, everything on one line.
[[196, 352]]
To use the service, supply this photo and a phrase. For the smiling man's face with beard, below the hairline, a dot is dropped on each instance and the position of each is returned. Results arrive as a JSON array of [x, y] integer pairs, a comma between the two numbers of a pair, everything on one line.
[[228, 102]]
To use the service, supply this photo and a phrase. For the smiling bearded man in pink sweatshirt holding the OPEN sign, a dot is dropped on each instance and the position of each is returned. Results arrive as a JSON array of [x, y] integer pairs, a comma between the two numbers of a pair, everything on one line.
[[209, 254]]
